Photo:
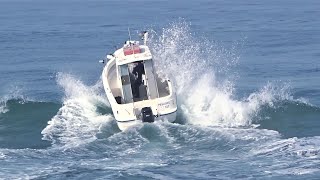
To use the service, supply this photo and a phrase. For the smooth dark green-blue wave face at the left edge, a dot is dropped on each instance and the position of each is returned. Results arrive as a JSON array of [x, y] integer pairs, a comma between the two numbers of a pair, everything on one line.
[[23, 121]]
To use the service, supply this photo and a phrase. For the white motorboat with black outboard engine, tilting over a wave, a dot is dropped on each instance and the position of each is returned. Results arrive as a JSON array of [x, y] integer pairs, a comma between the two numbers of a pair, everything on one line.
[[135, 91]]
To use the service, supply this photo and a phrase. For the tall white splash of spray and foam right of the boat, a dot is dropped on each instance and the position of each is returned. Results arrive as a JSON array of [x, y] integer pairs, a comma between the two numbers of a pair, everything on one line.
[[193, 64]]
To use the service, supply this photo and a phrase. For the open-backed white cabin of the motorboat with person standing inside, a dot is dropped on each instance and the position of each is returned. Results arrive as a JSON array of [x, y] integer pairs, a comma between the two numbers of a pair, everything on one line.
[[137, 79]]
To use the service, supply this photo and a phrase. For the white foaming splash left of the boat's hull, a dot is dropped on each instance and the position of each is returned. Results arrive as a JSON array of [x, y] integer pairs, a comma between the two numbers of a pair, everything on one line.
[[77, 121]]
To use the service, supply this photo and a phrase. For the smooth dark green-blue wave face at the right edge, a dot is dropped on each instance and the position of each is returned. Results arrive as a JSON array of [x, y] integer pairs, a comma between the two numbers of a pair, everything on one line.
[[291, 119]]
